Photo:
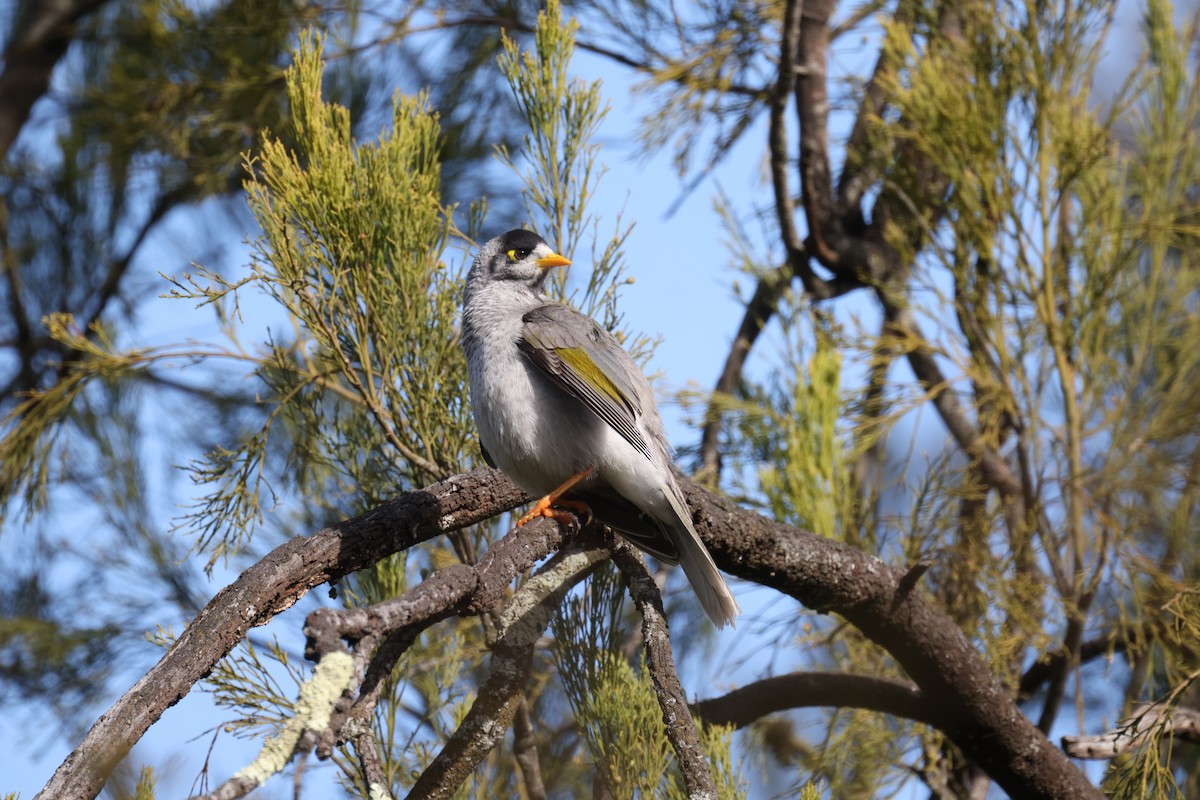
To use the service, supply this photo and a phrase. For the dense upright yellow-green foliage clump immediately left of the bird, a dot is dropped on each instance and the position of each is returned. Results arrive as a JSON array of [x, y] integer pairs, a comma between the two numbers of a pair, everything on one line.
[[351, 251]]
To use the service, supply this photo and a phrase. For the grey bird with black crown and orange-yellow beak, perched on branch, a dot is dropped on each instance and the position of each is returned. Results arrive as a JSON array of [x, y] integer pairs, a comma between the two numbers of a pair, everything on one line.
[[568, 416]]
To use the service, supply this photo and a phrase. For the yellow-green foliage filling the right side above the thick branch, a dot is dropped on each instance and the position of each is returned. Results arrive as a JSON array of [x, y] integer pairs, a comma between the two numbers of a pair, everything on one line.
[[1059, 291]]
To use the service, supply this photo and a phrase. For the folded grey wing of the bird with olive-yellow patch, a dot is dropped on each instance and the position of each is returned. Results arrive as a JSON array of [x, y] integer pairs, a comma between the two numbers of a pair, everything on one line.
[[589, 364]]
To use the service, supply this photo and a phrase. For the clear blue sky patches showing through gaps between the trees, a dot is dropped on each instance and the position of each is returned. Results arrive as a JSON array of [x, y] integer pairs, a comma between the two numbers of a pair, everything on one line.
[[682, 293]]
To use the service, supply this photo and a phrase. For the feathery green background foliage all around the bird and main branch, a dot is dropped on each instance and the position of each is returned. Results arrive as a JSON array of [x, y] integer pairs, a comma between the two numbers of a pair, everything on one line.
[[1041, 242]]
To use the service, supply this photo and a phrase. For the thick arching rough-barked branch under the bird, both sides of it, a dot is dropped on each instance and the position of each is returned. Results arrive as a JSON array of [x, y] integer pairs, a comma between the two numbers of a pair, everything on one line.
[[980, 715]]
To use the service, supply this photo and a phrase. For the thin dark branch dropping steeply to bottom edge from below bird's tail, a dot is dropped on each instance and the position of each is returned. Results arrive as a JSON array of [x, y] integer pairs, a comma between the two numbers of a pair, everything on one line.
[[677, 720]]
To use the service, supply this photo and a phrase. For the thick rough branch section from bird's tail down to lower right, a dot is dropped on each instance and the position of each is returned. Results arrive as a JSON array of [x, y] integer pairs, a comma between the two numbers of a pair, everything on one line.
[[981, 718]]
